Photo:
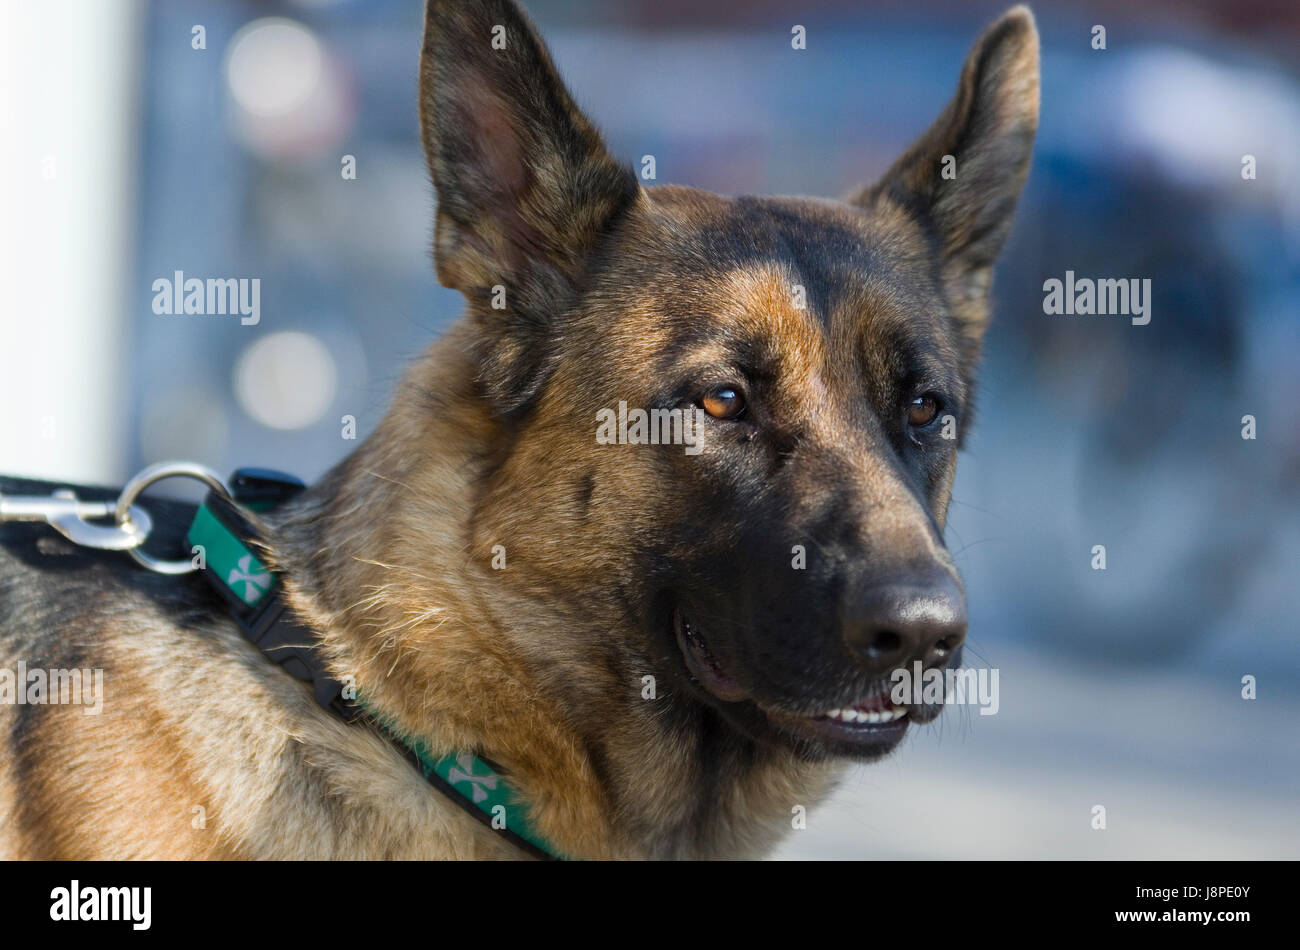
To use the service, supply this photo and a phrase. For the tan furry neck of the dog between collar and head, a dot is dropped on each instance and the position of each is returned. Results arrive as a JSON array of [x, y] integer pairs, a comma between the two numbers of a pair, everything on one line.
[[380, 558]]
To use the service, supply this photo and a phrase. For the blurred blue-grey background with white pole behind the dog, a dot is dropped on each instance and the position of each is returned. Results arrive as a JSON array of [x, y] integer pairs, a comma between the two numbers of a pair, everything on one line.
[[135, 146]]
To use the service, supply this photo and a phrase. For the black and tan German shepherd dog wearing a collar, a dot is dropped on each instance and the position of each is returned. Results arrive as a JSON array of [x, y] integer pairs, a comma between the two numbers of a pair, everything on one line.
[[681, 648]]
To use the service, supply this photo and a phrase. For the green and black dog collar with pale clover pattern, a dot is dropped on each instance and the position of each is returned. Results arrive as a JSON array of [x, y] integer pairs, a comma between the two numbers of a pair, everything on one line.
[[254, 592]]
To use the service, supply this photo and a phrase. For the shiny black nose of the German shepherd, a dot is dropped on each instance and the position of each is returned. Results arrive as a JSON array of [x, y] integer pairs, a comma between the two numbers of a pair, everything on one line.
[[915, 619]]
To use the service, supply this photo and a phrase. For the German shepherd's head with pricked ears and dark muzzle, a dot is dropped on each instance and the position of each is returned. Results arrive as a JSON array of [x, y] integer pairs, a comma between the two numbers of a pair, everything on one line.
[[816, 357]]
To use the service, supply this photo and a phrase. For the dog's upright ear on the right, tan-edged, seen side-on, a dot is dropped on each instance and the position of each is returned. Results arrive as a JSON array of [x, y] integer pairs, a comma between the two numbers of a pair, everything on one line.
[[967, 172]]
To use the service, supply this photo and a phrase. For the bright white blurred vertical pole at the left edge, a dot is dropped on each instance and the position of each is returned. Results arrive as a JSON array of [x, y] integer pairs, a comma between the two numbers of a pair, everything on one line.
[[68, 128]]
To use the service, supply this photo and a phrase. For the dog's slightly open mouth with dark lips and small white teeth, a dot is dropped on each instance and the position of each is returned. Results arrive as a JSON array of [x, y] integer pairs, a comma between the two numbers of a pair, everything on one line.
[[870, 725]]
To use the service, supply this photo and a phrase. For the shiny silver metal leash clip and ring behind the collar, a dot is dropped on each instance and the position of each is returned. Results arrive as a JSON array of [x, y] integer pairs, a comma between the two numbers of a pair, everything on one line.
[[75, 518]]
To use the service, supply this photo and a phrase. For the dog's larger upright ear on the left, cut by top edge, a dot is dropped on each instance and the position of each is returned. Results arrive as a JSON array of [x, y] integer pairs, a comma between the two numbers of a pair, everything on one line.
[[526, 186]]
